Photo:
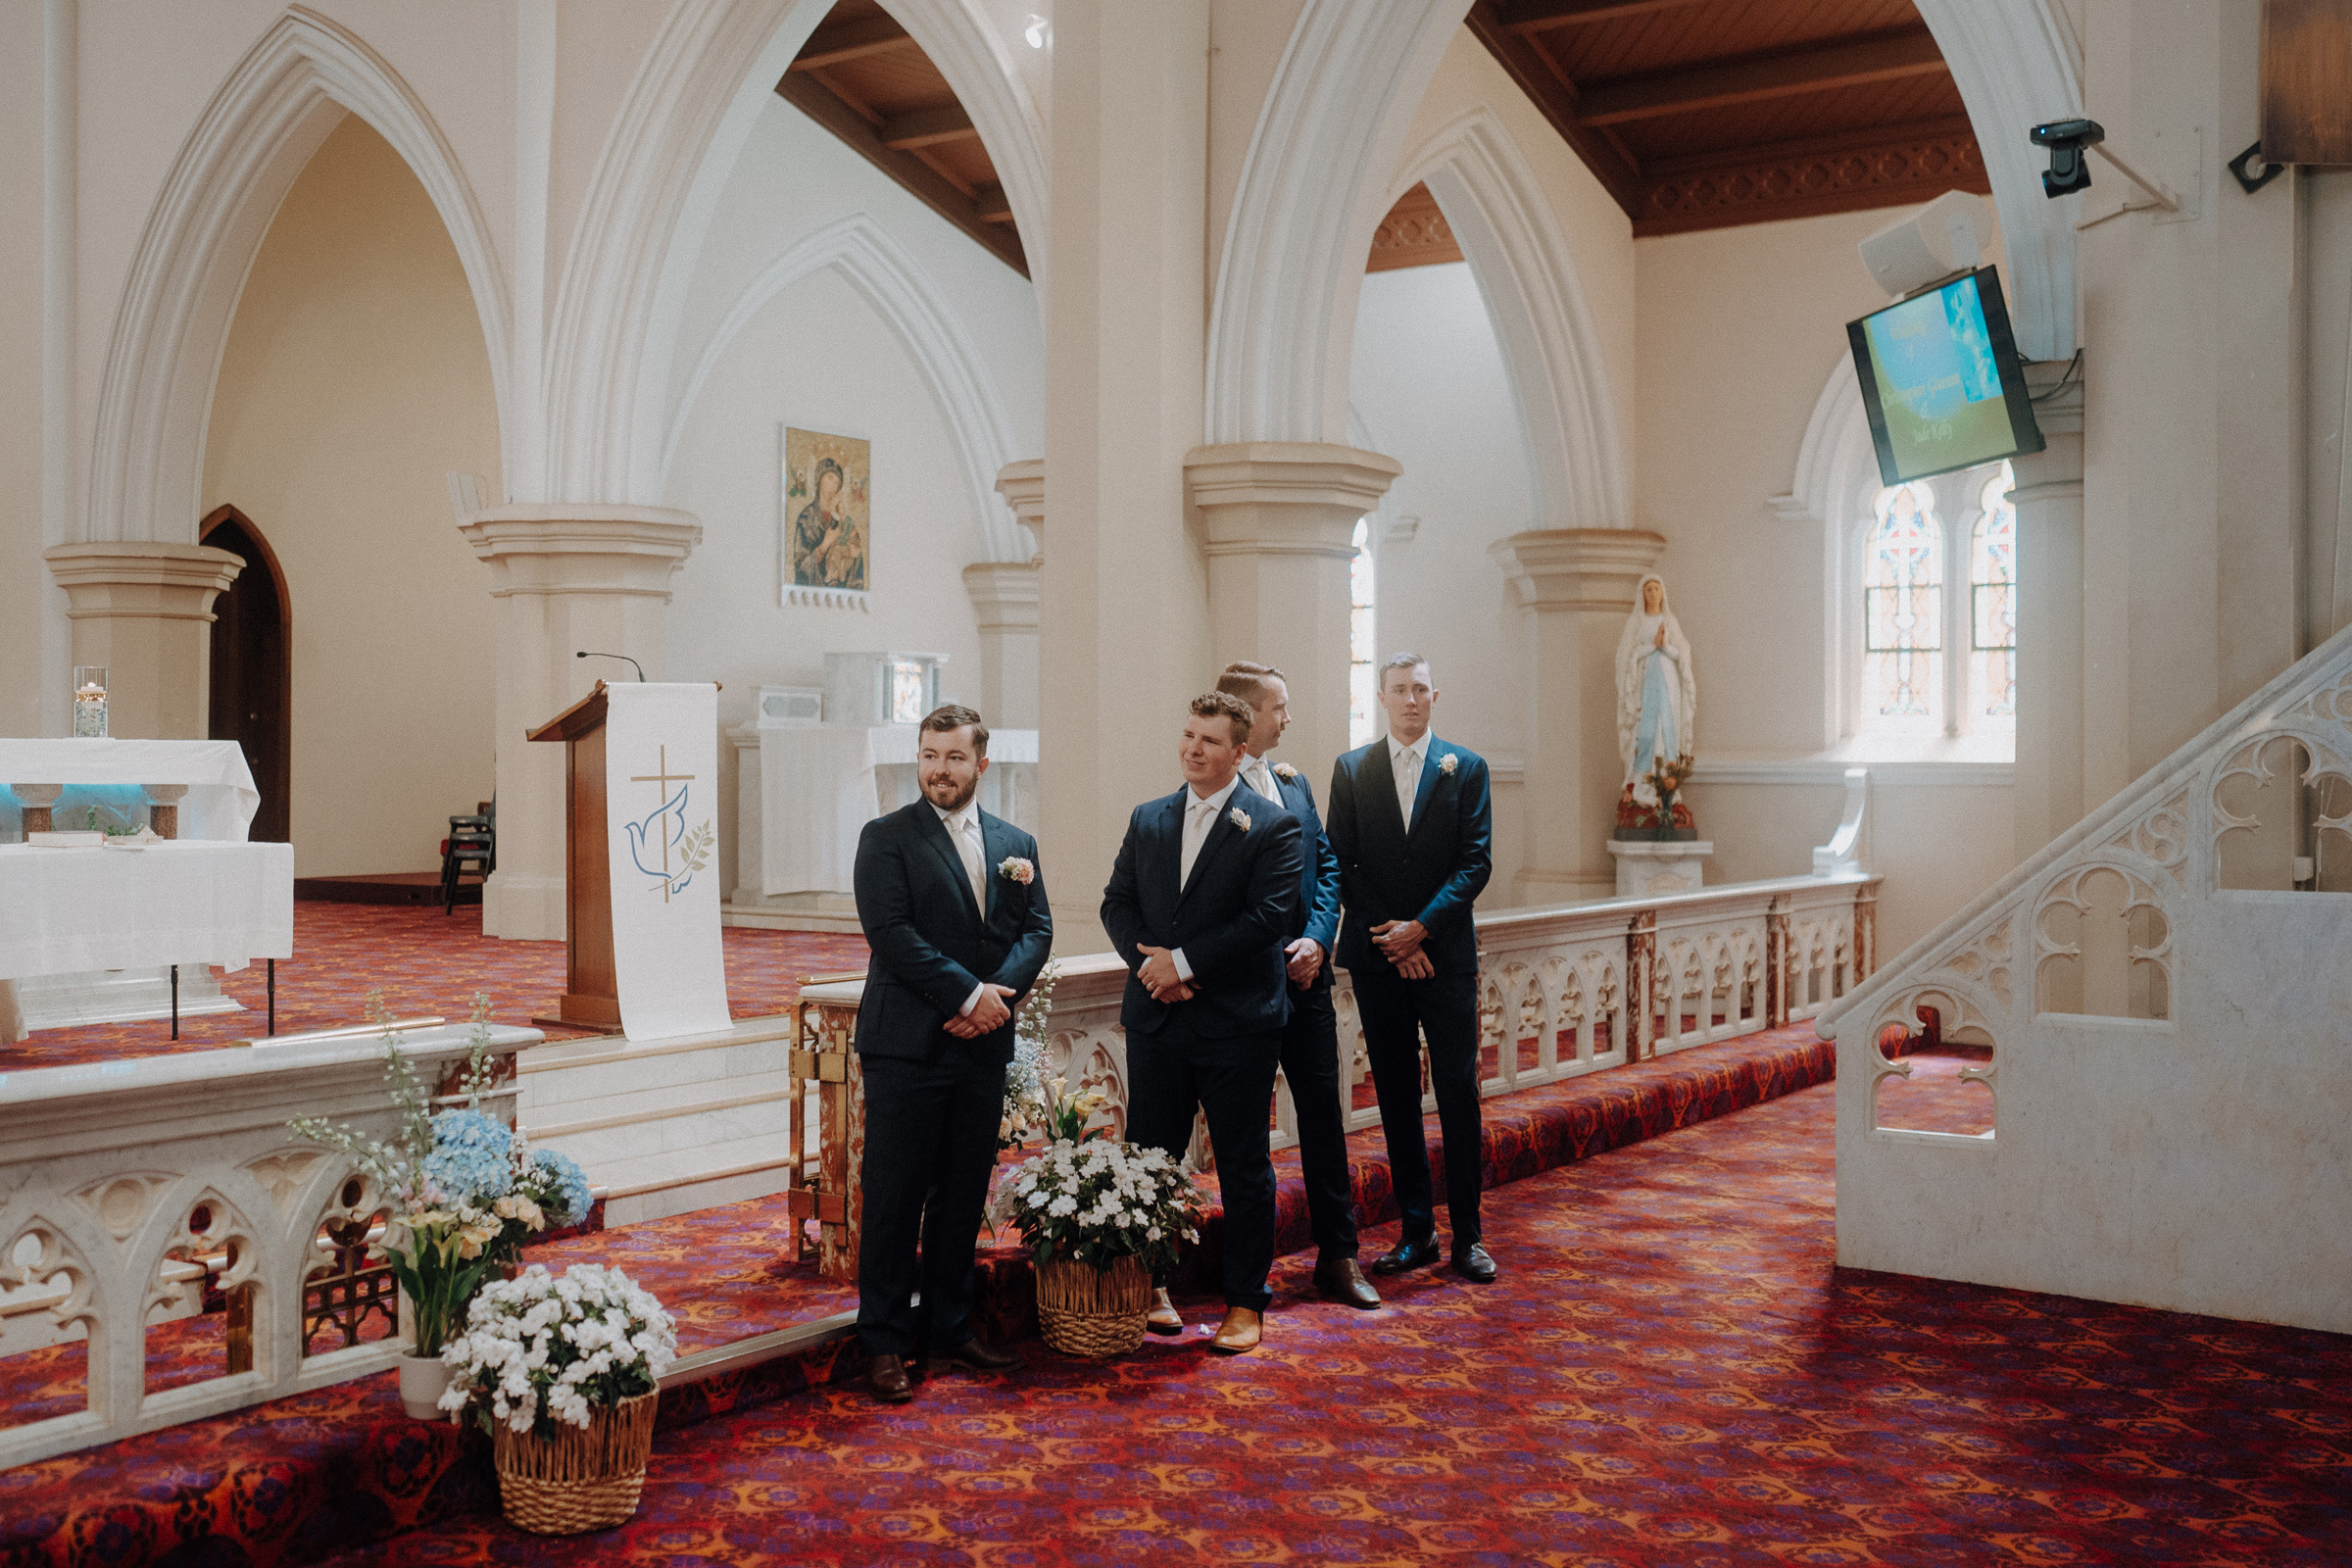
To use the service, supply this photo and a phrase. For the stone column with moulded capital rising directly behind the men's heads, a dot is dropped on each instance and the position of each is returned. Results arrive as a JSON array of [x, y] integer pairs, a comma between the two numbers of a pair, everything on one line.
[[1281, 523]]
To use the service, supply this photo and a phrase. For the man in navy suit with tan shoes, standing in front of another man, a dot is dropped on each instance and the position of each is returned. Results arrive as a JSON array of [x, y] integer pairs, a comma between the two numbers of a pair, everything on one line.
[[1201, 904]]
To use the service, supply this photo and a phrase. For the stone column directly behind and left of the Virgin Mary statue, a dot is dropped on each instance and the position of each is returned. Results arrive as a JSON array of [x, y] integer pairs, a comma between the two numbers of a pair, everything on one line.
[[1577, 587]]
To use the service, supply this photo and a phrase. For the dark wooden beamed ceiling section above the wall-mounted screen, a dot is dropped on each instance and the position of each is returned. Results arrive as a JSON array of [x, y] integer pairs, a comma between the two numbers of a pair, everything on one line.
[[1702, 114]]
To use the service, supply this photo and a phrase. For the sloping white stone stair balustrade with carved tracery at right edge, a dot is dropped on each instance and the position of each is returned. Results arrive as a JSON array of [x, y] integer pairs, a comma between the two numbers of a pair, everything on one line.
[[2158, 1010]]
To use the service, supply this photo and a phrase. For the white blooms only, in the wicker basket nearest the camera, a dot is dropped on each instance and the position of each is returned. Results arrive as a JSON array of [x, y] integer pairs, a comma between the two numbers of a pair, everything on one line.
[[542, 1351]]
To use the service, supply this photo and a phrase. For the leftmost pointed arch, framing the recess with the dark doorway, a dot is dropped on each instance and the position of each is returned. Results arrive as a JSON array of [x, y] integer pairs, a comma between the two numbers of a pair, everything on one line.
[[248, 147]]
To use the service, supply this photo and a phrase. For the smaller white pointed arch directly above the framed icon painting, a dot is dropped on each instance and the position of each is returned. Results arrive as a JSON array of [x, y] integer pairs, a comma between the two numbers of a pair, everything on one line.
[[888, 279]]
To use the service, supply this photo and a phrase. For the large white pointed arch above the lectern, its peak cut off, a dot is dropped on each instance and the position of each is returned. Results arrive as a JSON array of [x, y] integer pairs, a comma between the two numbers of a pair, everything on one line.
[[655, 192]]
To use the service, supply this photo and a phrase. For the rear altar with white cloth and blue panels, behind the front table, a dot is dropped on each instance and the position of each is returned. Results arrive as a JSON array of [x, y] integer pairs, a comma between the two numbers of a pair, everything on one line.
[[213, 796]]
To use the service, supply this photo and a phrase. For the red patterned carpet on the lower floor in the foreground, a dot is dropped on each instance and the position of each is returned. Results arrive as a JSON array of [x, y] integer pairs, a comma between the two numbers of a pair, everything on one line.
[[1671, 1372]]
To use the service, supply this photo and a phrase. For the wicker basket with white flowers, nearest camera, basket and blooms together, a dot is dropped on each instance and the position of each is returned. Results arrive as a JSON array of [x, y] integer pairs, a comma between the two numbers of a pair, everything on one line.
[[566, 1374]]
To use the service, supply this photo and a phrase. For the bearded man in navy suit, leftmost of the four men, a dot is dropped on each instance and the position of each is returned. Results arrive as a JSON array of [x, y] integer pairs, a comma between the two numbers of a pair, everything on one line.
[[958, 925]]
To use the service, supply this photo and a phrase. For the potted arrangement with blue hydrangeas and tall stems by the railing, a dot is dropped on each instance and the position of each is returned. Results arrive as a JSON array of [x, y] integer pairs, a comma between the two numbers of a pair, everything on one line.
[[465, 1193]]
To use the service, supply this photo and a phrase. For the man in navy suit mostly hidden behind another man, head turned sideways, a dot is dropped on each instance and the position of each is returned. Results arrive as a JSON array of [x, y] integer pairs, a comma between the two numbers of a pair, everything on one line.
[[1311, 1036]]
